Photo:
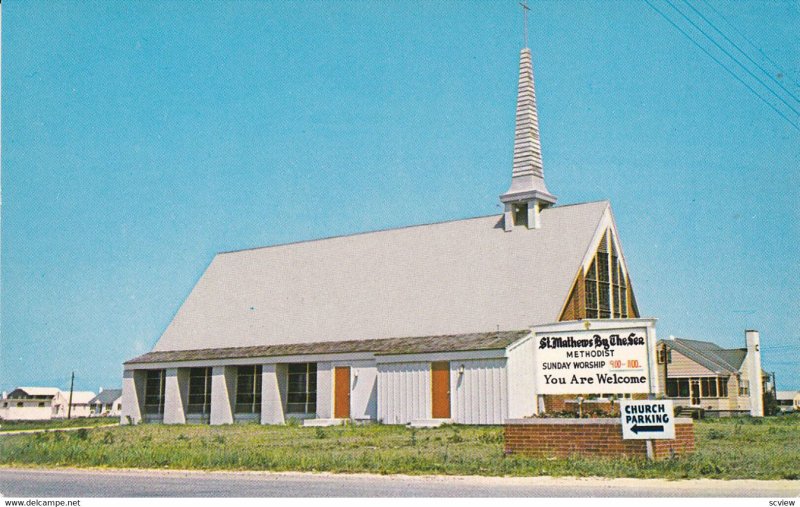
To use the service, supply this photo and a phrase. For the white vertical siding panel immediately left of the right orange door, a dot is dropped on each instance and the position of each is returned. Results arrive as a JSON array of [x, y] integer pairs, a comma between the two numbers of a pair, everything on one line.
[[404, 392]]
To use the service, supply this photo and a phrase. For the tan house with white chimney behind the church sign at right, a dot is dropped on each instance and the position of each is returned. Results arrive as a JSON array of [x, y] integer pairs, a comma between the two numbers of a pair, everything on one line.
[[701, 374]]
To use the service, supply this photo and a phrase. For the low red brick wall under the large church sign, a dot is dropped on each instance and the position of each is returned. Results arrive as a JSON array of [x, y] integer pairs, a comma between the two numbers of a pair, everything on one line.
[[589, 437]]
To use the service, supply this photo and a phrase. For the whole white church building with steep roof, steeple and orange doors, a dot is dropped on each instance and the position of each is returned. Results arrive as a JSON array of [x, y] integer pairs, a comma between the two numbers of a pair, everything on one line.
[[421, 324]]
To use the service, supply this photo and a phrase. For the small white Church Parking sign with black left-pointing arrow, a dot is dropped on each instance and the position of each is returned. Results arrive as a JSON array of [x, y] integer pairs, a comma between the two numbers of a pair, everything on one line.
[[647, 419]]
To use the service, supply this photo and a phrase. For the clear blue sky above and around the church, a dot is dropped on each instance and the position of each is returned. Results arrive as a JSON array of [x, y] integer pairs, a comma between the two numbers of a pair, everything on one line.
[[139, 138]]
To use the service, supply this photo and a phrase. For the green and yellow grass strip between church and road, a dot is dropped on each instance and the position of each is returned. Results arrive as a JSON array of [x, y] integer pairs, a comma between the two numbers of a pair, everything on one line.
[[727, 448]]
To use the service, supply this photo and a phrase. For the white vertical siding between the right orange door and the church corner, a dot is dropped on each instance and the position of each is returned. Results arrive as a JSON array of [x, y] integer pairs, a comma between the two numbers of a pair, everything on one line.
[[479, 395]]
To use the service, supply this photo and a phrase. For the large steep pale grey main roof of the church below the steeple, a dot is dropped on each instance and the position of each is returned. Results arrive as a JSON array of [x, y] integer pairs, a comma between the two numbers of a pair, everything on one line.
[[438, 279]]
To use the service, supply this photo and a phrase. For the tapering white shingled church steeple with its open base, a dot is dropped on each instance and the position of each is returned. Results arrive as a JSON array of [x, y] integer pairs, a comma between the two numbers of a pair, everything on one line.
[[527, 194]]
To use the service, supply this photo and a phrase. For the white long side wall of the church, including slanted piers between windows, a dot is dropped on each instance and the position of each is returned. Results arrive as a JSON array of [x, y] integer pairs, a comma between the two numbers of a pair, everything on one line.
[[396, 391]]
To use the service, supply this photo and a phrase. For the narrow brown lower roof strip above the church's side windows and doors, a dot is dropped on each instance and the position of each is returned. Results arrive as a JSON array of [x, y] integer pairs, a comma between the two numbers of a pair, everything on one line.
[[390, 346]]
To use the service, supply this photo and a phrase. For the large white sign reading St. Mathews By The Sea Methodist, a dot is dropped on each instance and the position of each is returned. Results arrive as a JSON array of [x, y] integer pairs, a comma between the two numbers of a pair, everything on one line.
[[592, 361]]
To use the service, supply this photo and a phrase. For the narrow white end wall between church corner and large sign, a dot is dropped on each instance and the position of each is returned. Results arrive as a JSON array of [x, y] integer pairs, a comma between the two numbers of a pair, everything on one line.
[[521, 380]]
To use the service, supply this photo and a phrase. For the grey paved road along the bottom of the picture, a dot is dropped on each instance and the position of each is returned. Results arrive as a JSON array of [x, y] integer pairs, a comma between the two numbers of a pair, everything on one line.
[[139, 483]]
